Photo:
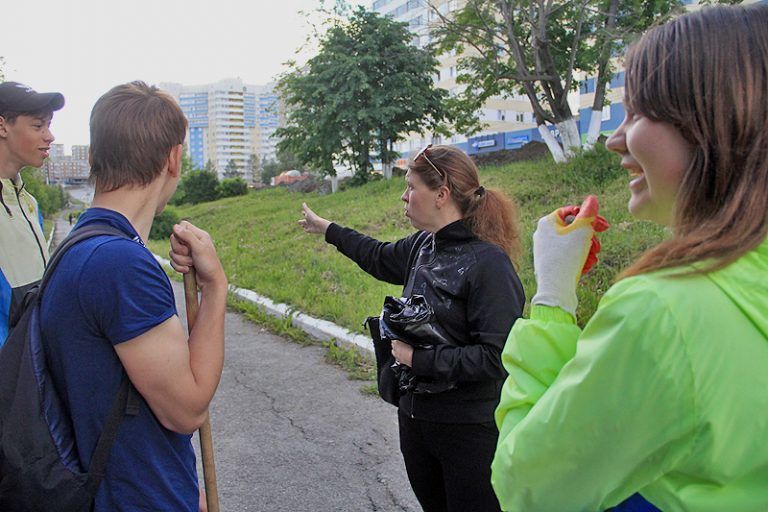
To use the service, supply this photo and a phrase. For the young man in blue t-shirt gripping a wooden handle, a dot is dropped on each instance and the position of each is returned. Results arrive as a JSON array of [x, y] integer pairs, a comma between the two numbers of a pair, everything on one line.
[[109, 308]]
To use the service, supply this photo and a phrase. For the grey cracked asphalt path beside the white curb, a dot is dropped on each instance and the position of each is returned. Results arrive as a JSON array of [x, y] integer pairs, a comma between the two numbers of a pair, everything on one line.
[[293, 433]]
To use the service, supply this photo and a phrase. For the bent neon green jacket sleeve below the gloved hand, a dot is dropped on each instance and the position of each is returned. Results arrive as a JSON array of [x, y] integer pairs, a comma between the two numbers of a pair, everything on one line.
[[587, 419]]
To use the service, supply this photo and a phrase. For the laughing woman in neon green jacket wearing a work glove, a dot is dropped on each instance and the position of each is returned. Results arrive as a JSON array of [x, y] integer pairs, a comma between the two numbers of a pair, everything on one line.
[[663, 397]]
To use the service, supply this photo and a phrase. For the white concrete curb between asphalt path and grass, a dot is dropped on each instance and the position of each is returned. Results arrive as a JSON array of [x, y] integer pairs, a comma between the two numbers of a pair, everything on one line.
[[322, 330]]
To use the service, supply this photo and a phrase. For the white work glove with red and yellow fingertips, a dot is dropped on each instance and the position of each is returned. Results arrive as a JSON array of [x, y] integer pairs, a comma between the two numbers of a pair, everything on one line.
[[565, 248]]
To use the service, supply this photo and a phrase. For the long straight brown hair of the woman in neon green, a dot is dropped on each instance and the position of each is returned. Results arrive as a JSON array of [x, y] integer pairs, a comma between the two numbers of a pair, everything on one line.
[[706, 73]]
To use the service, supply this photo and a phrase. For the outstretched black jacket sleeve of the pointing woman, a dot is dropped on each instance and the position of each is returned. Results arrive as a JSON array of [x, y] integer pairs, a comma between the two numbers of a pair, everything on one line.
[[386, 261]]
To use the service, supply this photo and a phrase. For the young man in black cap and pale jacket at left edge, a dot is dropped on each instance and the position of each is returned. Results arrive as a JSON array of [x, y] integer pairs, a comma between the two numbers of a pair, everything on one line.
[[25, 139]]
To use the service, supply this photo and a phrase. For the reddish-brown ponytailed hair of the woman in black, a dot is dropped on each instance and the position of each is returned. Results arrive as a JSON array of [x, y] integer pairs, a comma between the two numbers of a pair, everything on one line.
[[490, 214]]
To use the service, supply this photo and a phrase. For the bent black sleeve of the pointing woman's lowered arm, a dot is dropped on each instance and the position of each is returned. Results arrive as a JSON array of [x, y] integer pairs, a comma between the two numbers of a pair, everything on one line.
[[495, 300]]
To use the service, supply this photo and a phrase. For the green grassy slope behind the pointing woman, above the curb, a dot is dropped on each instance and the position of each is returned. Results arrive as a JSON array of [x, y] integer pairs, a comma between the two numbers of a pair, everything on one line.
[[263, 249]]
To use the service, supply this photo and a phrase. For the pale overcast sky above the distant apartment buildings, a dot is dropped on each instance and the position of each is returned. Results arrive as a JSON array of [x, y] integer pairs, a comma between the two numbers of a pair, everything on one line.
[[82, 48]]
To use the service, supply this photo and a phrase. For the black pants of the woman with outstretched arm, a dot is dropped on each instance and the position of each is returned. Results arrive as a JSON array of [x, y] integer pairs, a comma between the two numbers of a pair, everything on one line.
[[449, 465]]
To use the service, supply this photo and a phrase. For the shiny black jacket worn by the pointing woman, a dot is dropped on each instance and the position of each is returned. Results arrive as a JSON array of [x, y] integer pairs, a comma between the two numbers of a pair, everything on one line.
[[476, 296]]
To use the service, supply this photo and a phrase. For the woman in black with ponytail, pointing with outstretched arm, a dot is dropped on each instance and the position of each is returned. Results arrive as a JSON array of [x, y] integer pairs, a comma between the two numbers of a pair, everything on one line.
[[459, 260]]
